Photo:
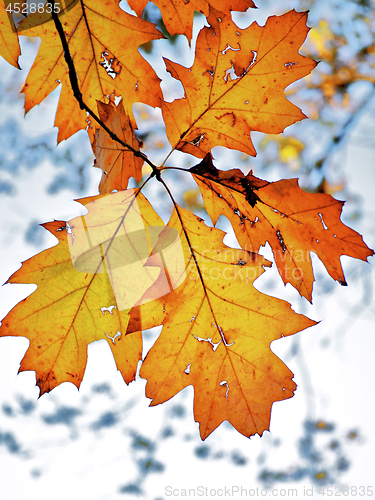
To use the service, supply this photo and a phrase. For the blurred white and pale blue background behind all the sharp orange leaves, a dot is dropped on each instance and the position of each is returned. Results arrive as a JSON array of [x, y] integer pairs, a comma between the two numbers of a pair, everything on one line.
[[104, 441]]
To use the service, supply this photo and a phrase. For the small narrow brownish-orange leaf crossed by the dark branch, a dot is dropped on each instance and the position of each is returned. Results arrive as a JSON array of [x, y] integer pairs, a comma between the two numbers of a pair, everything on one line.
[[116, 163]]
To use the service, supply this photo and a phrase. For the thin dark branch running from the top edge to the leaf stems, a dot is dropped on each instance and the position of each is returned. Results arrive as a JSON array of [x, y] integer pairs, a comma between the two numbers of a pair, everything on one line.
[[78, 95]]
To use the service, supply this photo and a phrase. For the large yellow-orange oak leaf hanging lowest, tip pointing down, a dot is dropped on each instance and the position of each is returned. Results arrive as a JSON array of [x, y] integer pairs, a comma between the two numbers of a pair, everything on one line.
[[217, 332]]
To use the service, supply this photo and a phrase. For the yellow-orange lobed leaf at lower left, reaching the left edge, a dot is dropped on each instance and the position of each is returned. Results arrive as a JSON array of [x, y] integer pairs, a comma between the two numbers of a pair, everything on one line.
[[85, 289]]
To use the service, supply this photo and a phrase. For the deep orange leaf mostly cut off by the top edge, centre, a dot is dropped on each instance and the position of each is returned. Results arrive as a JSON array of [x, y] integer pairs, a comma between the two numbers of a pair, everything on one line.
[[178, 14]]
